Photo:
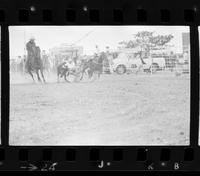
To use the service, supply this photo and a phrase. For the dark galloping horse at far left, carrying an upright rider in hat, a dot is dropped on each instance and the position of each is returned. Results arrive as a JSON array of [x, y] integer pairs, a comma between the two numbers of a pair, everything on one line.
[[34, 63]]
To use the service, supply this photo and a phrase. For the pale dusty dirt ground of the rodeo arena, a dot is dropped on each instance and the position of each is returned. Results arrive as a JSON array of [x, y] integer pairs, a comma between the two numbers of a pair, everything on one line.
[[115, 110]]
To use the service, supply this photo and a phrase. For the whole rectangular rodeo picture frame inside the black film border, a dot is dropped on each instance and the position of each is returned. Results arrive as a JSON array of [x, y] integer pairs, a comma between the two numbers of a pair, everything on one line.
[[99, 85]]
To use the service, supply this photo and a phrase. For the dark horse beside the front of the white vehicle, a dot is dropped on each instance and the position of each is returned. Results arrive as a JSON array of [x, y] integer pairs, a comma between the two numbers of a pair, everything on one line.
[[94, 65]]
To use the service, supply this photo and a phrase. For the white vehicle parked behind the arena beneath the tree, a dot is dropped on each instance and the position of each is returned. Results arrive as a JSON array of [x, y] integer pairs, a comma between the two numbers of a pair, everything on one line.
[[126, 62]]
